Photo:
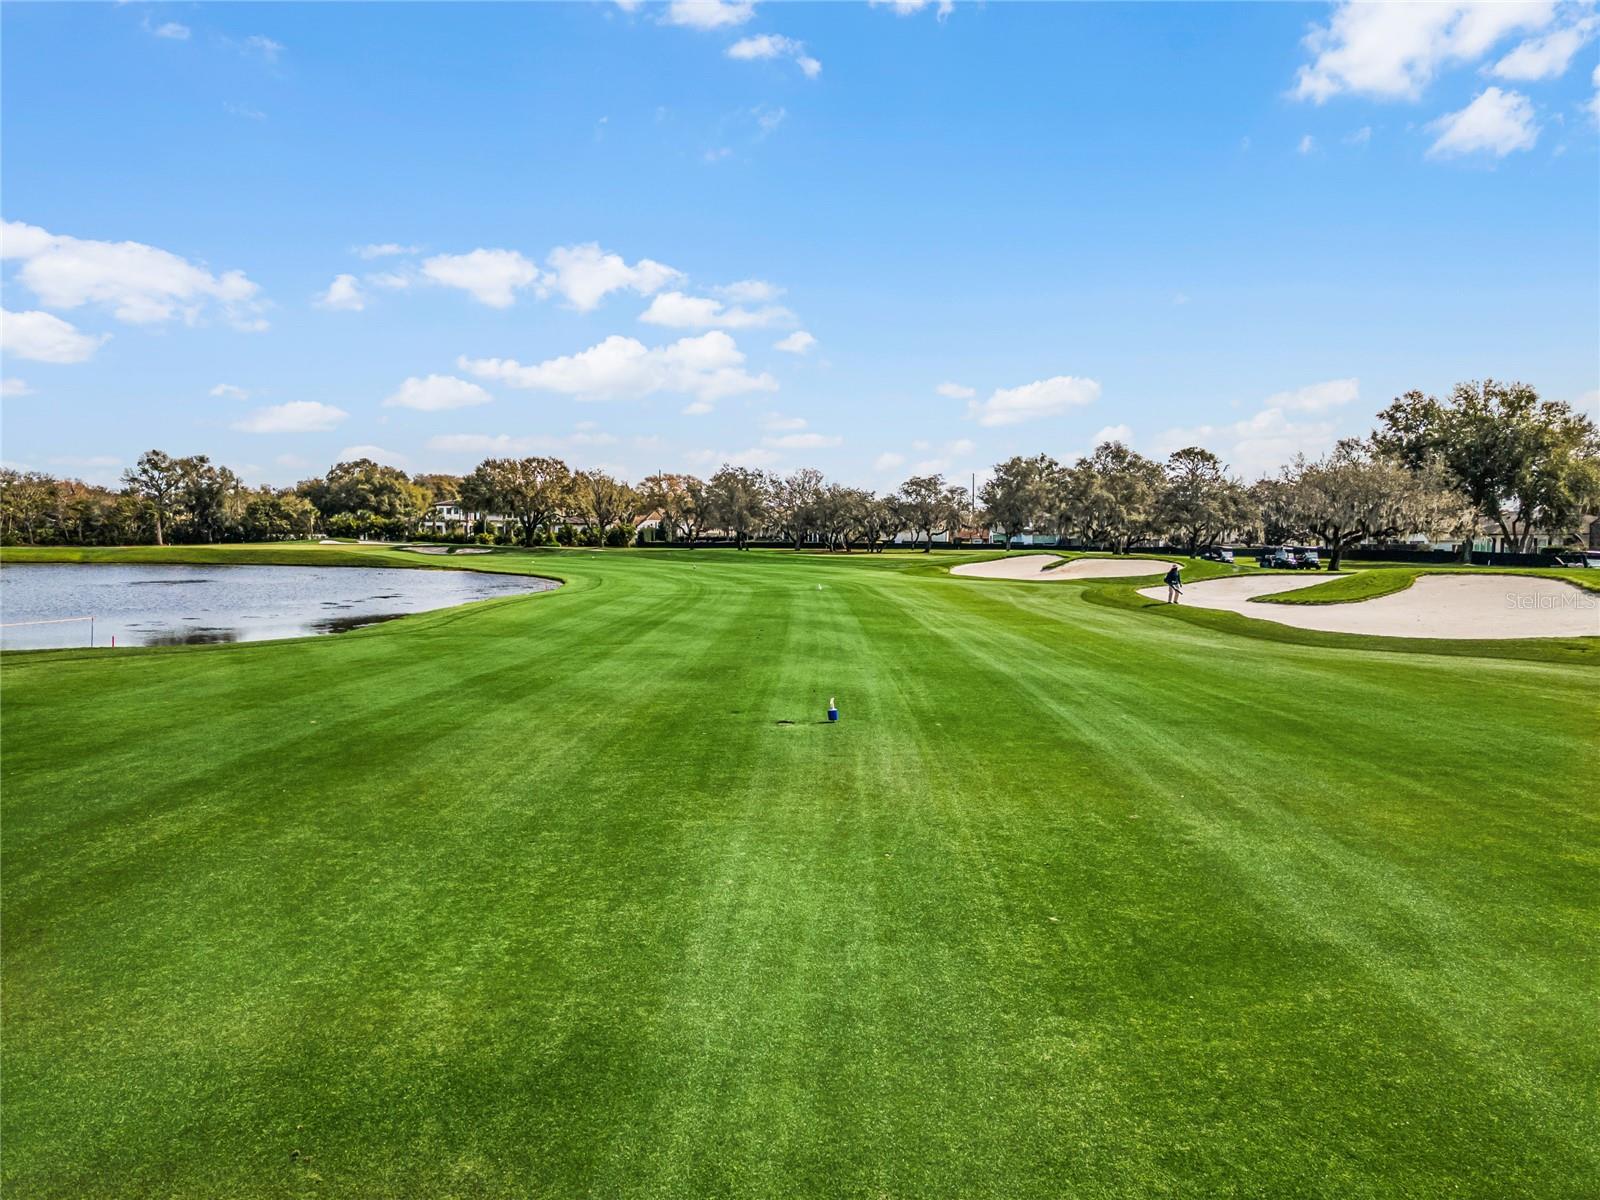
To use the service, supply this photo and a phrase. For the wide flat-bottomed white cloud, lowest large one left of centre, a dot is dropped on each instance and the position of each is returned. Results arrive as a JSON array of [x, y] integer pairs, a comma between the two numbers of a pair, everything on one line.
[[708, 367]]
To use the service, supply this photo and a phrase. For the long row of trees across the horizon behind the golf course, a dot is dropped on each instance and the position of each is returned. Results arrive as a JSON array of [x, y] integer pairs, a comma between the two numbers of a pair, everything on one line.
[[1434, 466]]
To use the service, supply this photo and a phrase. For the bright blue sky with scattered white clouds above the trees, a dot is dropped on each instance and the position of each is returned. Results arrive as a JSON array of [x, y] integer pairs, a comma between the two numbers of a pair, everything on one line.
[[874, 239]]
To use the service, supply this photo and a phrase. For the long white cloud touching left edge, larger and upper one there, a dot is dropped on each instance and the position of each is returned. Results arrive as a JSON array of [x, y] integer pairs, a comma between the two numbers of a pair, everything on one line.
[[140, 284]]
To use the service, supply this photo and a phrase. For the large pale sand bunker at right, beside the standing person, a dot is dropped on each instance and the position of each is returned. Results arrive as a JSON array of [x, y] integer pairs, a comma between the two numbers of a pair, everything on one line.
[[1436, 606]]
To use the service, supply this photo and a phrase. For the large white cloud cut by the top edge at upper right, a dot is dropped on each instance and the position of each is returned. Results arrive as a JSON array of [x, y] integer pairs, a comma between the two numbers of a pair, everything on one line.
[[1394, 50]]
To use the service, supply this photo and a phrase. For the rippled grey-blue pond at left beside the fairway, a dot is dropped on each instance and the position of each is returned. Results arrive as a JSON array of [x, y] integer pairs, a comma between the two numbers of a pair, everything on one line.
[[161, 606]]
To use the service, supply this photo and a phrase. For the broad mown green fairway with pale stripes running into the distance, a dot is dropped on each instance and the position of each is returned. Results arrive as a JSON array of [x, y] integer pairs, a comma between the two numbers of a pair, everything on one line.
[[538, 898]]
